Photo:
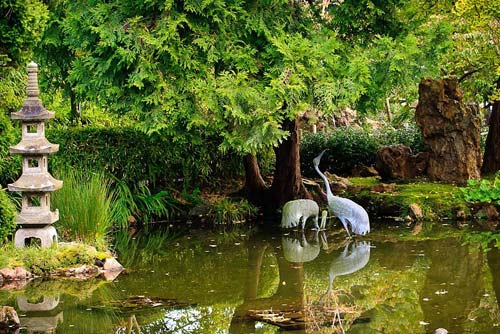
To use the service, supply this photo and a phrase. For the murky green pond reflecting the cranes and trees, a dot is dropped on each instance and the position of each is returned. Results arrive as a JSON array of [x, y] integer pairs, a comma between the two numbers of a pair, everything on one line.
[[269, 282]]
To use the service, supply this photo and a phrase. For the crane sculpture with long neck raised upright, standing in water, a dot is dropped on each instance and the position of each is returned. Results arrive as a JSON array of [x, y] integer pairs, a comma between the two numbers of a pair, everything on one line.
[[350, 213]]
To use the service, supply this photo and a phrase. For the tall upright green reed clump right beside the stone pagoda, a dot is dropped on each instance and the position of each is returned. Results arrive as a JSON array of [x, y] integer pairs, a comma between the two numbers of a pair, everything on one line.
[[85, 204]]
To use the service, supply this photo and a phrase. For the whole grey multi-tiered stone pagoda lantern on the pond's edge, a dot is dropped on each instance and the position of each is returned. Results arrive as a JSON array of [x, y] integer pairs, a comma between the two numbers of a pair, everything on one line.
[[35, 184]]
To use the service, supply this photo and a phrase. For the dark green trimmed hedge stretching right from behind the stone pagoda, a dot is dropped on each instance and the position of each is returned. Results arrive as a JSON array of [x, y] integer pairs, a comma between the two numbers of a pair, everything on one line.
[[157, 160]]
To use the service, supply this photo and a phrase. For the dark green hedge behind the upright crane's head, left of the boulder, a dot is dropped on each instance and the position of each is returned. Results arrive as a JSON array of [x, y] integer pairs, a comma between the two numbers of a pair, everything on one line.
[[349, 147]]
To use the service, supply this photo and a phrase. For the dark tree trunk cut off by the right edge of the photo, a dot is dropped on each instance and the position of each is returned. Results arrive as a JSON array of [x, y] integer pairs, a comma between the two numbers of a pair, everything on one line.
[[491, 158]]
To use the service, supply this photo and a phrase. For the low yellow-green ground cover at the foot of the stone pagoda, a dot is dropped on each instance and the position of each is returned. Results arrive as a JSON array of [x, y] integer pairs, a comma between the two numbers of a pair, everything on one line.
[[45, 261]]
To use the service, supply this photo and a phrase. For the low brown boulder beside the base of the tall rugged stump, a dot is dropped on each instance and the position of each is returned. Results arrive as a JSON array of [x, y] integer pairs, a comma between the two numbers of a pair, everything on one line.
[[398, 162]]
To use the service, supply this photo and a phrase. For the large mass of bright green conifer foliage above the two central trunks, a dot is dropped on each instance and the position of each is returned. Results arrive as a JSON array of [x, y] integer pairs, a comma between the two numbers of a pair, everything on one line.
[[232, 68]]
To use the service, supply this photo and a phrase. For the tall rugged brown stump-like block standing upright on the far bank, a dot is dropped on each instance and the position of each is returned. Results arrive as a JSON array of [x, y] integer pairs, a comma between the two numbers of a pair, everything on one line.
[[451, 129]]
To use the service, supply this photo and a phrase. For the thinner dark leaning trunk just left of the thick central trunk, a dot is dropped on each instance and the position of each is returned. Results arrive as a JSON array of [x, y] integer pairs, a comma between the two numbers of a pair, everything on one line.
[[254, 183]]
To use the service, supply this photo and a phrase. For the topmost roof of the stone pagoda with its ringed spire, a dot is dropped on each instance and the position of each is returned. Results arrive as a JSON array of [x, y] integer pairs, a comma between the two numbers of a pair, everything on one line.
[[32, 109]]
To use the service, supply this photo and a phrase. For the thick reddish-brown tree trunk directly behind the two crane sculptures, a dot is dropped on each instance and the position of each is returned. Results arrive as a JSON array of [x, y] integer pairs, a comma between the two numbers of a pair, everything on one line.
[[287, 182]]
